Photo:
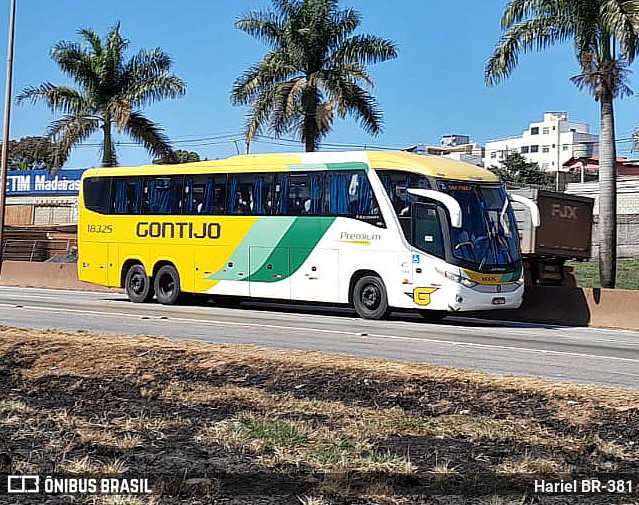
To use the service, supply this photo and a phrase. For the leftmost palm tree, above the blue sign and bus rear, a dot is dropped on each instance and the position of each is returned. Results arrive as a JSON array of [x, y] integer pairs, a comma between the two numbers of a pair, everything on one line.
[[111, 92]]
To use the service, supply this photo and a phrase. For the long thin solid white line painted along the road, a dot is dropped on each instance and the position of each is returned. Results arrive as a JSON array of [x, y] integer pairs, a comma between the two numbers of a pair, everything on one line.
[[341, 332]]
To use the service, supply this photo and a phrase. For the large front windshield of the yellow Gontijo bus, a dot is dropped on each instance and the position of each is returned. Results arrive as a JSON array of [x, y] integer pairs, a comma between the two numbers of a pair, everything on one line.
[[487, 239]]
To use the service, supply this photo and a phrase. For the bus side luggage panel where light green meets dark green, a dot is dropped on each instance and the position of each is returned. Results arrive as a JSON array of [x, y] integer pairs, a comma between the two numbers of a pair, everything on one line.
[[270, 272]]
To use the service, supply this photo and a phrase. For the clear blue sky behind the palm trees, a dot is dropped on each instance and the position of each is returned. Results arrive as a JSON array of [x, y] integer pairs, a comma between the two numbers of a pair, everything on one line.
[[434, 87]]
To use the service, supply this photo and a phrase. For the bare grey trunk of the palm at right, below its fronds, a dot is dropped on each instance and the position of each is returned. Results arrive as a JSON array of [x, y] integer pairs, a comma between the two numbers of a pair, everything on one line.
[[607, 195]]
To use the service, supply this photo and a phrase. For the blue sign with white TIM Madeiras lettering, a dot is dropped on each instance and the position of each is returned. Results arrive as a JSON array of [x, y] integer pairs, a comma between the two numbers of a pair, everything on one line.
[[41, 182]]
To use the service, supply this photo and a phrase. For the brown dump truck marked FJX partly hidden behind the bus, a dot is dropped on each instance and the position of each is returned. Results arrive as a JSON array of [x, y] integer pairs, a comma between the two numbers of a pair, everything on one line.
[[564, 234]]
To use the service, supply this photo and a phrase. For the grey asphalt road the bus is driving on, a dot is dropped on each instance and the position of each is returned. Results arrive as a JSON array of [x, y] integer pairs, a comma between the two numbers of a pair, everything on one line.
[[580, 355]]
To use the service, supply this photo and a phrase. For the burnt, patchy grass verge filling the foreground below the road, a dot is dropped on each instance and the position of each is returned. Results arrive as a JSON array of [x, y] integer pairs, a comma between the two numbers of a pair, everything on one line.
[[246, 425]]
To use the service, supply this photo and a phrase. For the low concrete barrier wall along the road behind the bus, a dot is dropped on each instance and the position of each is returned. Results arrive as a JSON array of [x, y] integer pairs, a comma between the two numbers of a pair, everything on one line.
[[613, 308]]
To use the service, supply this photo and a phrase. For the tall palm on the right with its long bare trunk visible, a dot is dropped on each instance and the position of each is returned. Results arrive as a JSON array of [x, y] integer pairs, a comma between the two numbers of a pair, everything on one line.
[[606, 40]]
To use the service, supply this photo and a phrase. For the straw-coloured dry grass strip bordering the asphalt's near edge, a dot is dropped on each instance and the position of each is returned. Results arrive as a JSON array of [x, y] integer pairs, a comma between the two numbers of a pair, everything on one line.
[[130, 355]]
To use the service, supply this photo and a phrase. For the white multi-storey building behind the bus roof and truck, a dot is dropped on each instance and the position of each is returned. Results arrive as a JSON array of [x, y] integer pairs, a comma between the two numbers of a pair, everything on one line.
[[549, 143]]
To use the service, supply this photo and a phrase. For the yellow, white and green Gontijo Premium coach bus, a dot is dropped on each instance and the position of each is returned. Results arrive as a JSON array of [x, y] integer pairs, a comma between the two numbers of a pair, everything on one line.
[[379, 231]]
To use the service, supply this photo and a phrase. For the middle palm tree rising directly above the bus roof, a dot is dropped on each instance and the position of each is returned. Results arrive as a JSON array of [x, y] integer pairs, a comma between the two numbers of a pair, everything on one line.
[[315, 68]]
